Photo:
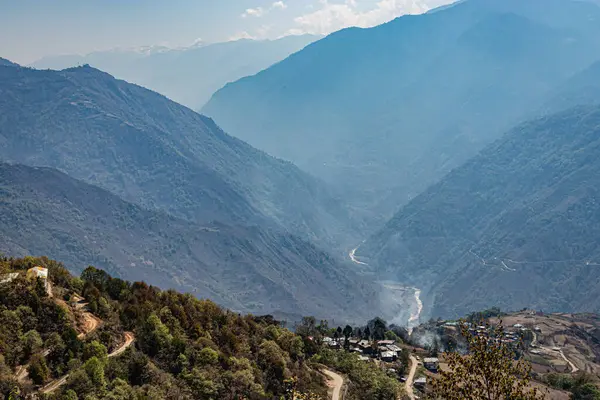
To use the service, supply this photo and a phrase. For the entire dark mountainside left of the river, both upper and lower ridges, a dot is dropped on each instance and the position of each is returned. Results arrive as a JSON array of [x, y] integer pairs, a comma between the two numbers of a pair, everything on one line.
[[149, 189]]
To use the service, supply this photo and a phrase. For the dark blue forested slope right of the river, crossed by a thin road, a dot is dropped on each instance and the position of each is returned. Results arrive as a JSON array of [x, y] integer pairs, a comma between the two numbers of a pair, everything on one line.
[[516, 226]]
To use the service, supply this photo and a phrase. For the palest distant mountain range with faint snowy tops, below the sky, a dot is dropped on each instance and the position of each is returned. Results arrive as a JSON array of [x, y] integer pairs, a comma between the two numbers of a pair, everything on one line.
[[191, 75]]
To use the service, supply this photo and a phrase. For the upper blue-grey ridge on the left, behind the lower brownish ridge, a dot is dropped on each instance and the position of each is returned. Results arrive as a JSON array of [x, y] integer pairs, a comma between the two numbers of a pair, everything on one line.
[[156, 153]]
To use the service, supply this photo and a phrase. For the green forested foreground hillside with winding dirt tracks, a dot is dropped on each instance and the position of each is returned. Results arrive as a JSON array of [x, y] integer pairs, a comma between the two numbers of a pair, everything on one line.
[[144, 343]]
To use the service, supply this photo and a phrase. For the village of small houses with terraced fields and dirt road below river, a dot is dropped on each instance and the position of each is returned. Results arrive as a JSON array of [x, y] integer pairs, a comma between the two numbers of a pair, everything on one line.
[[548, 342]]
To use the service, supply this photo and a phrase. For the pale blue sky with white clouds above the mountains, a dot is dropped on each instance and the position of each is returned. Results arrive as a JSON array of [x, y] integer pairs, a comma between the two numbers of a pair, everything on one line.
[[32, 29]]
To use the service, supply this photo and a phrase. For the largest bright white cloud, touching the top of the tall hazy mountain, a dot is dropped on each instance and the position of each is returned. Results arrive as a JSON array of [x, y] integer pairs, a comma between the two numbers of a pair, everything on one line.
[[333, 16]]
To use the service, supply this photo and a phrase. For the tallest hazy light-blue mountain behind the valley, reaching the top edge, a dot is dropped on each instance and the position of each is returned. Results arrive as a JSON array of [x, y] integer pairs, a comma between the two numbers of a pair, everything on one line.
[[395, 107]]
